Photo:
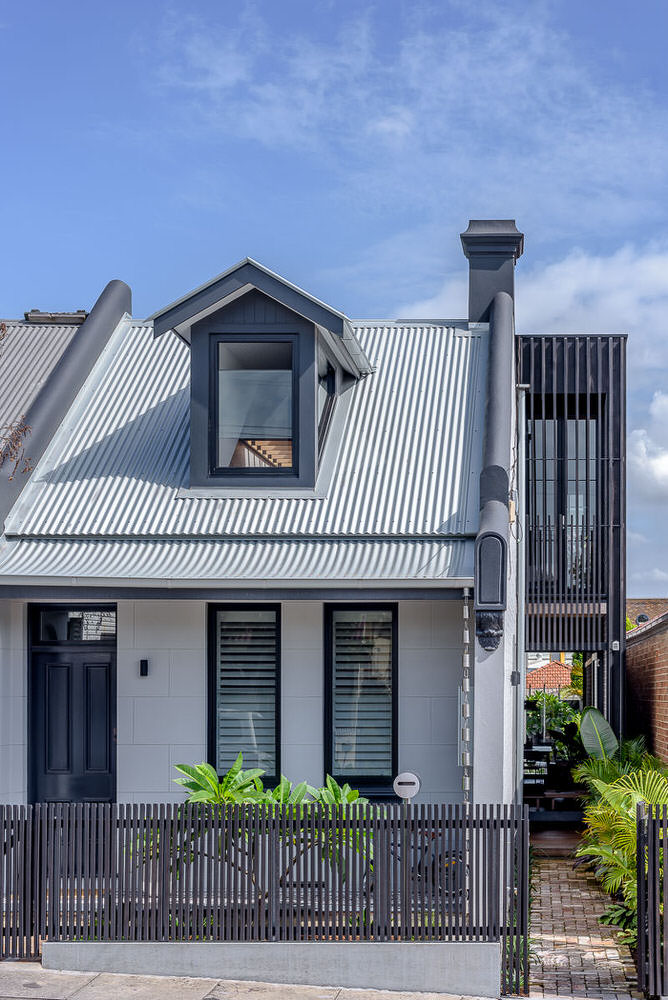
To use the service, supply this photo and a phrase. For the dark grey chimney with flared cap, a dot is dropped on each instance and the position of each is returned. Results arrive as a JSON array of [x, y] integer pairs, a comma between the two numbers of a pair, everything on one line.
[[492, 247]]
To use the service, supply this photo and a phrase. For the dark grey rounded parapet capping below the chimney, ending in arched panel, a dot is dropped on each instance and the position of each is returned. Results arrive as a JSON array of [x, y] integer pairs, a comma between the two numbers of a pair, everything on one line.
[[491, 546]]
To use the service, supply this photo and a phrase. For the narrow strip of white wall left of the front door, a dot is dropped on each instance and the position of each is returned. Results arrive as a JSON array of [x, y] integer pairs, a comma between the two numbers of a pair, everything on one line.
[[13, 702]]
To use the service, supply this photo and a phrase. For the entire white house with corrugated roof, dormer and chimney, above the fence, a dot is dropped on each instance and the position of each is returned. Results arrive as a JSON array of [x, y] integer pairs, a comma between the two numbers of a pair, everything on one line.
[[251, 523]]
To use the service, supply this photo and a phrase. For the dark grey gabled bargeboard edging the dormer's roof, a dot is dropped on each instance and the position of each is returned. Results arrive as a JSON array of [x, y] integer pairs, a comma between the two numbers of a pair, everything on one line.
[[181, 314]]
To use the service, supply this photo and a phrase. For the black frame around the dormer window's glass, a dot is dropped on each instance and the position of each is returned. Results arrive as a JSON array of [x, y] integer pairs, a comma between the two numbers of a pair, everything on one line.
[[225, 473]]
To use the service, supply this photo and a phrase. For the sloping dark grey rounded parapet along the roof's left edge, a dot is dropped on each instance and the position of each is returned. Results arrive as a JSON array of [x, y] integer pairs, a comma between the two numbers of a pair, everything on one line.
[[59, 392]]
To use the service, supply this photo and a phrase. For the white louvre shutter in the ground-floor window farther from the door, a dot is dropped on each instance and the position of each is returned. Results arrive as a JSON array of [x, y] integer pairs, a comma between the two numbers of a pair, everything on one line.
[[362, 708]]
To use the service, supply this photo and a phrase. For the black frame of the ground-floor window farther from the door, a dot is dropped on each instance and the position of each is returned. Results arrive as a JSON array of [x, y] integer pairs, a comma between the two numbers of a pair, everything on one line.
[[368, 784]]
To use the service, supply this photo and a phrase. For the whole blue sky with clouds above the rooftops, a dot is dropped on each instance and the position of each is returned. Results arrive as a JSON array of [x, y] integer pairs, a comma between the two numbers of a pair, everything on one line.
[[346, 145]]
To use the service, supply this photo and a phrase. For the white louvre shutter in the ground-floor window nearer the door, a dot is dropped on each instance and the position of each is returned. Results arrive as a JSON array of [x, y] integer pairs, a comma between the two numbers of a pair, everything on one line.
[[247, 664]]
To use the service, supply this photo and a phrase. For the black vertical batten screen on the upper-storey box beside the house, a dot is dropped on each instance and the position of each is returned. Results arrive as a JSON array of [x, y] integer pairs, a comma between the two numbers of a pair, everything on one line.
[[575, 502]]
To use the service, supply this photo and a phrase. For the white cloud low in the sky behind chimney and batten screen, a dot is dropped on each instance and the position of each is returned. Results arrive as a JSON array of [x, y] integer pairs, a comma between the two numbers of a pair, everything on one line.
[[623, 292]]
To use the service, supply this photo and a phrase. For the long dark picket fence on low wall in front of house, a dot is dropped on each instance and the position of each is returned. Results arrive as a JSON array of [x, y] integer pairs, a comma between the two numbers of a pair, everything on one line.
[[96, 872]]
